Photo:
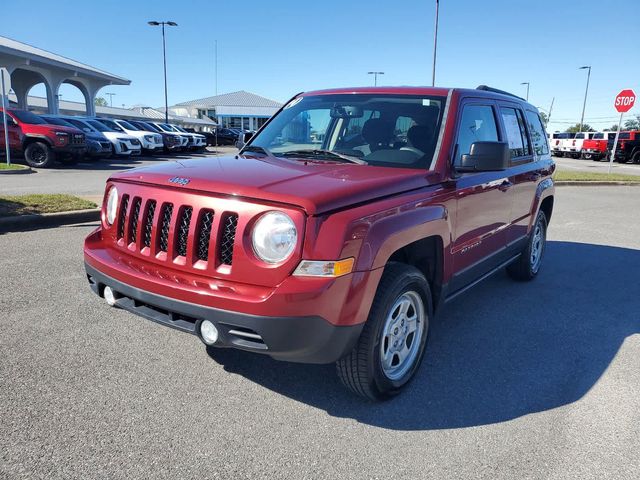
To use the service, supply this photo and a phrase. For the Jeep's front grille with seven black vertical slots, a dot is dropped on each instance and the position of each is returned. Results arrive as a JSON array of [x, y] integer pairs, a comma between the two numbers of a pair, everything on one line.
[[176, 231]]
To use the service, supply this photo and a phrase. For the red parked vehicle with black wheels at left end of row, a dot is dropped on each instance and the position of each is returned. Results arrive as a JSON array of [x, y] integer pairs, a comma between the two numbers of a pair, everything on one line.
[[40, 143]]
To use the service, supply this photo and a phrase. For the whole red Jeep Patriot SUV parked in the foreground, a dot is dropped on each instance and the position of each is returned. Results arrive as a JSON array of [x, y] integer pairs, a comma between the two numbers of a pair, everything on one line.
[[337, 231]]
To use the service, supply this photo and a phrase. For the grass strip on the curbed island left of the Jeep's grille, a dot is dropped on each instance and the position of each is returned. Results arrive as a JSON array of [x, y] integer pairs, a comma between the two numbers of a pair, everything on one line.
[[12, 205]]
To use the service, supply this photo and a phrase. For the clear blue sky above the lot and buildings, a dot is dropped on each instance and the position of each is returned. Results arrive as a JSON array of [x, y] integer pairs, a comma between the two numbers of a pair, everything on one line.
[[278, 48]]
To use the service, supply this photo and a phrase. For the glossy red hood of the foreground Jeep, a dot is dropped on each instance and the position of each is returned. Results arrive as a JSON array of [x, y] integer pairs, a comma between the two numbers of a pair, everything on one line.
[[316, 187]]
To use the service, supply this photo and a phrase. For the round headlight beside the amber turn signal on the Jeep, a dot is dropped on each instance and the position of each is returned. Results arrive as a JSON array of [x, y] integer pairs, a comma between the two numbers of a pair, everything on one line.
[[274, 237]]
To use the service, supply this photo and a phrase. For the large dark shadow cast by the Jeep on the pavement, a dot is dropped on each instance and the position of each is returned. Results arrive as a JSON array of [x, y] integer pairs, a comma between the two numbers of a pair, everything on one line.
[[504, 350]]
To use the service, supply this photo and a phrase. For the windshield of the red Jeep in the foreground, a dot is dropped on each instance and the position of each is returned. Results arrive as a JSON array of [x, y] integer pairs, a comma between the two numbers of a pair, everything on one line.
[[383, 130]]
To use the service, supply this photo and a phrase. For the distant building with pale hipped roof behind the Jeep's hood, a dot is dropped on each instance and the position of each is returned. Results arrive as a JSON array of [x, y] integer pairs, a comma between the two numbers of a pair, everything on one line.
[[231, 110]]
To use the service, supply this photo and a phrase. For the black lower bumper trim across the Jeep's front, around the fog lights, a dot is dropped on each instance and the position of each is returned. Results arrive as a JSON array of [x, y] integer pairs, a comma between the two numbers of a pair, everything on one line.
[[309, 339]]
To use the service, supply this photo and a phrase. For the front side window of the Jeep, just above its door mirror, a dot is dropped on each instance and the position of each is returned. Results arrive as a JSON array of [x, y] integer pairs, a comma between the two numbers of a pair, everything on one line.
[[478, 124]]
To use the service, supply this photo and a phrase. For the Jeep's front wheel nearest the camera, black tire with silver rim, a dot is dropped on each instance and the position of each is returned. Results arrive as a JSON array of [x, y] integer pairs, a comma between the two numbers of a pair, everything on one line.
[[392, 343]]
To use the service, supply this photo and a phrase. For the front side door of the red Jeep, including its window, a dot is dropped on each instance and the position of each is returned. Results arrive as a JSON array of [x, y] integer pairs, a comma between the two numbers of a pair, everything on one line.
[[483, 199]]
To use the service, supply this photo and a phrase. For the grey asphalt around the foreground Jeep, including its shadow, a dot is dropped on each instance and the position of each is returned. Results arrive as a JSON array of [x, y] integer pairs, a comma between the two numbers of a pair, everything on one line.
[[524, 381]]
